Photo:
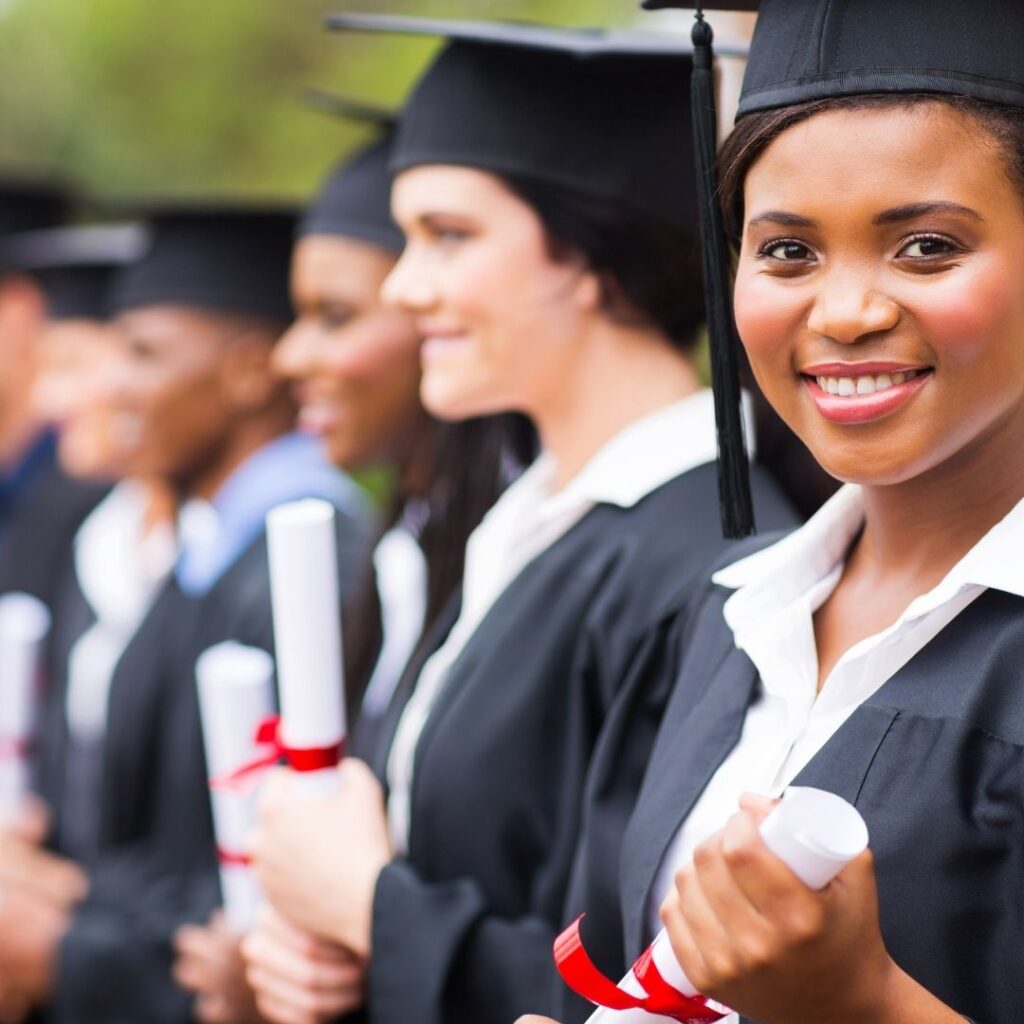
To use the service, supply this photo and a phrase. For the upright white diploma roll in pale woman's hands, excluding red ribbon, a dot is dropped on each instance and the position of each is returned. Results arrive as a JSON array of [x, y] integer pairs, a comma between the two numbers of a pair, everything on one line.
[[304, 559]]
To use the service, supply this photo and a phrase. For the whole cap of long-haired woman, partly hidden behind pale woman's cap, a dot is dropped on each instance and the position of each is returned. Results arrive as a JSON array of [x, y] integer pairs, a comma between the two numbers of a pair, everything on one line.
[[356, 200]]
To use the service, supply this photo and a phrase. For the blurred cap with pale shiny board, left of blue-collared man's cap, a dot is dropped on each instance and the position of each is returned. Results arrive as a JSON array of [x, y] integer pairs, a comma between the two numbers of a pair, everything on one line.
[[75, 267]]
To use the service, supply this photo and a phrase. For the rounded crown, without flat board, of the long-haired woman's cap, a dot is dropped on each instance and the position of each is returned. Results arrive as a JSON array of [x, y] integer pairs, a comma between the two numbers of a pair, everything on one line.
[[356, 201]]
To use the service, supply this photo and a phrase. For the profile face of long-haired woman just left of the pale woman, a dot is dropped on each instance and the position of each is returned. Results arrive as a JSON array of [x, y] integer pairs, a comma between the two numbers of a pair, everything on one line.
[[353, 362]]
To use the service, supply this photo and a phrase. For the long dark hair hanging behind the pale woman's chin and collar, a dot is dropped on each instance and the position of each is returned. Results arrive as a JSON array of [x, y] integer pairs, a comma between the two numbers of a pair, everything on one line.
[[466, 467]]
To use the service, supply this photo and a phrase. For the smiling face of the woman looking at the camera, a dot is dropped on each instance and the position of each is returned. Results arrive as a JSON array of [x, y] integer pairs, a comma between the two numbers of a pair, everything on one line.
[[880, 292]]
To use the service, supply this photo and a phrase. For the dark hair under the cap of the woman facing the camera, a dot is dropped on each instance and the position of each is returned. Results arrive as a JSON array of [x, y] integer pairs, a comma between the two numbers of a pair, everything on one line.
[[756, 133]]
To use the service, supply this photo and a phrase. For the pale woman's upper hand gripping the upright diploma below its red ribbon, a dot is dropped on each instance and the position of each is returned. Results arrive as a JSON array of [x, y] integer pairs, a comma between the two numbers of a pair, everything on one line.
[[319, 861]]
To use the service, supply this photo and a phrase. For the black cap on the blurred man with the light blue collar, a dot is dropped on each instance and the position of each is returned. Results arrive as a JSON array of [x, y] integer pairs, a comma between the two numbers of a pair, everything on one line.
[[226, 259]]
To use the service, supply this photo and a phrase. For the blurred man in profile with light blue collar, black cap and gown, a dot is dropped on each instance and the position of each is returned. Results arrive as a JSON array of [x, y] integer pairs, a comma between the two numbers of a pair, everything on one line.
[[120, 764]]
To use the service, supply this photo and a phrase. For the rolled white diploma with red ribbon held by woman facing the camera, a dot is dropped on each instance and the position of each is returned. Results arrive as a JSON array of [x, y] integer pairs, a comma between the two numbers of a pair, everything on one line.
[[815, 833]]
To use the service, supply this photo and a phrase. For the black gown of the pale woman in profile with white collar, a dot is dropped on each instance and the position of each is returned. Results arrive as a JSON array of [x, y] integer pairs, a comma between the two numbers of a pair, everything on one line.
[[463, 926]]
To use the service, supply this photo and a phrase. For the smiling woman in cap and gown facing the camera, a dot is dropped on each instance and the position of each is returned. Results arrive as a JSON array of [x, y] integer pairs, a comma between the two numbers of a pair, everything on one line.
[[874, 184]]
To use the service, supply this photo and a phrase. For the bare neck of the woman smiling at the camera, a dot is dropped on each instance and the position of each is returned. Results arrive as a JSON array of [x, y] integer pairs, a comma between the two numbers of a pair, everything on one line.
[[924, 528]]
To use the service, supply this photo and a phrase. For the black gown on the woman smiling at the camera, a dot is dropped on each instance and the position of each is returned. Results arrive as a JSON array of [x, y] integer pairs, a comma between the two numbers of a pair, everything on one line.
[[934, 761]]
